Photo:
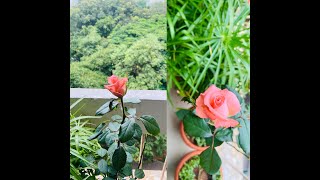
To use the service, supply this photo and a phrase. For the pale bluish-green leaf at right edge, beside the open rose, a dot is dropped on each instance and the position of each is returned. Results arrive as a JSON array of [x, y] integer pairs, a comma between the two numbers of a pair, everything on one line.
[[244, 135]]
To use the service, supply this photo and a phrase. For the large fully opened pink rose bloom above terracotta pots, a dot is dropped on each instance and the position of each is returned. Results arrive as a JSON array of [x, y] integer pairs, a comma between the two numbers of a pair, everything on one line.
[[218, 105]]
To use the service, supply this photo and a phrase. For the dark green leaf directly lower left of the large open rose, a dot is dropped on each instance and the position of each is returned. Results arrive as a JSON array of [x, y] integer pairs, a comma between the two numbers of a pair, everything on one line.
[[196, 127]]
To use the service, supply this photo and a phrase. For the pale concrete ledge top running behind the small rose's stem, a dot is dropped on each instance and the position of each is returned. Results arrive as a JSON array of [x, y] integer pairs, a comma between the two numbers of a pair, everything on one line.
[[76, 93]]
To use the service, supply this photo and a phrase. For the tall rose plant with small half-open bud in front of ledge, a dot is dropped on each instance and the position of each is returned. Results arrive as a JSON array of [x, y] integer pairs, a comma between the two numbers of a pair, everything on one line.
[[119, 135]]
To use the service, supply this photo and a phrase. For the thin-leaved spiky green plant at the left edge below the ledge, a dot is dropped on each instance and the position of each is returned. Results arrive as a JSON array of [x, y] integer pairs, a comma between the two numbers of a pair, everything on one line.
[[80, 146]]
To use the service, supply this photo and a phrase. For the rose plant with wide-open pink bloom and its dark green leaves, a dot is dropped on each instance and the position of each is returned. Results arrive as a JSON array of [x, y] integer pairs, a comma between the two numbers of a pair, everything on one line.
[[214, 116]]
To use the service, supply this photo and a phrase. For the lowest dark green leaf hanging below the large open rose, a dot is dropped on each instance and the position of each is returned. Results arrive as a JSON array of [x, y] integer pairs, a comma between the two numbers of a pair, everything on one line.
[[210, 160]]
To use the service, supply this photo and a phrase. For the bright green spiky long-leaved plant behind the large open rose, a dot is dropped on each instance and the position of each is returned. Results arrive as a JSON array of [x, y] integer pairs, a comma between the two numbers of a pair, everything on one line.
[[208, 43]]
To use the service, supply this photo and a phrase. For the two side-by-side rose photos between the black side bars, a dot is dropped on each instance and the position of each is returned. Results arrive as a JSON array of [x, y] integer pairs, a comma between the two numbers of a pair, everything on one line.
[[160, 89]]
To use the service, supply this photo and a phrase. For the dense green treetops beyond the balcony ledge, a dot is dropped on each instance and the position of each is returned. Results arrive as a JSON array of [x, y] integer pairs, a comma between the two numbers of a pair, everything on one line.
[[121, 37]]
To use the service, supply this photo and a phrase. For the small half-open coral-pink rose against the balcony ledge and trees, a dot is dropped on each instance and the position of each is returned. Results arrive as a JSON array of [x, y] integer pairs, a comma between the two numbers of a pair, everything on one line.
[[117, 86]]
